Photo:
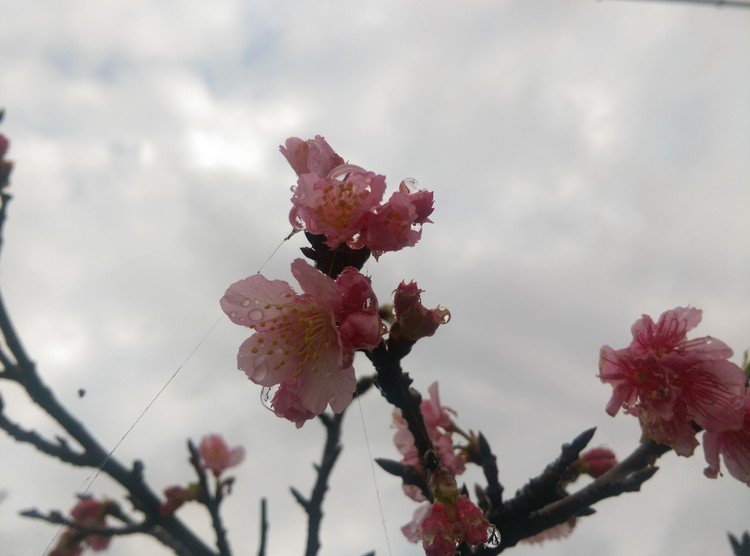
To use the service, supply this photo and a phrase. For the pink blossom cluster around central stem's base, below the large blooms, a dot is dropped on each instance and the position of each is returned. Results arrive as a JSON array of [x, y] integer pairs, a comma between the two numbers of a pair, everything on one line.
[[451, 518]]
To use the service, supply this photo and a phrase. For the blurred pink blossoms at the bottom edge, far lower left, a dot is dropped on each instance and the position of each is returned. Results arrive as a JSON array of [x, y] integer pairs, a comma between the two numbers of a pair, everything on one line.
[[88, 513]]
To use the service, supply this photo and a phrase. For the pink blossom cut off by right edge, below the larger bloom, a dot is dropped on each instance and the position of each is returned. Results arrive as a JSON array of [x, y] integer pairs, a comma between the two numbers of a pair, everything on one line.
[[734, 446]]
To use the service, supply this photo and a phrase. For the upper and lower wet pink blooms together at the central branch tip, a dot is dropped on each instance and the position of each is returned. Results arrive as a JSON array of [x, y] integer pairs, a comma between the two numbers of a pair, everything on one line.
[[304, 343]]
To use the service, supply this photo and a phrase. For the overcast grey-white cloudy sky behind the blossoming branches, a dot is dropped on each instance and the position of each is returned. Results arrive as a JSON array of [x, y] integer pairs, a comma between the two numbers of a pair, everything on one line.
[[589, 162]]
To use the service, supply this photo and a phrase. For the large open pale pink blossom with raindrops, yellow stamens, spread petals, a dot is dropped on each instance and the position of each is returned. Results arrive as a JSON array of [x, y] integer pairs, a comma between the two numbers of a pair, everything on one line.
[[309, 338]]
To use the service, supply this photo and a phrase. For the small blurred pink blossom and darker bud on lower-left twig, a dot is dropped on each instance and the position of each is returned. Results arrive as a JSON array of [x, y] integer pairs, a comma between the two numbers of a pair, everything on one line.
[[215, 456]]
